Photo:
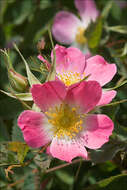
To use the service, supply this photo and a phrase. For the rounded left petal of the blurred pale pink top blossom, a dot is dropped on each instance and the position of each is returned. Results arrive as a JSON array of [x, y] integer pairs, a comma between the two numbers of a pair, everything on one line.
[[65, 27]]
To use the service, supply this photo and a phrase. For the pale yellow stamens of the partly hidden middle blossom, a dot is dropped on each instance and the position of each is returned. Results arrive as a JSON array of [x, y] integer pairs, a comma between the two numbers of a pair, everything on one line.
[[70, 77]]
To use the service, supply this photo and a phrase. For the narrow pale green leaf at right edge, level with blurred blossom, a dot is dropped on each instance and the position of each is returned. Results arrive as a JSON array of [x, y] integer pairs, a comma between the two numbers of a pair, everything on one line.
[[119, 29]]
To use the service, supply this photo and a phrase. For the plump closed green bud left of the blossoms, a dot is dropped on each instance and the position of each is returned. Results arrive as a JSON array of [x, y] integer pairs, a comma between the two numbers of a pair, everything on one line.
[[18, 82]]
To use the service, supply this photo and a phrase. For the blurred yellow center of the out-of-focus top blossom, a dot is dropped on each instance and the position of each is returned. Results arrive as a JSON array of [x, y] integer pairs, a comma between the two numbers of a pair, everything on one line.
[[80, 38]]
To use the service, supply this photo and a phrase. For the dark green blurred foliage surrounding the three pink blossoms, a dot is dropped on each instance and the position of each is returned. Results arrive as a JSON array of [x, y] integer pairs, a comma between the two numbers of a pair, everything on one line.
[[25, 22]]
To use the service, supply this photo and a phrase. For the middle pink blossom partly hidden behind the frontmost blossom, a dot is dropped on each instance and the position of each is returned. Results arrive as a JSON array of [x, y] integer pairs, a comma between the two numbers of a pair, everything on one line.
[[73, 66]]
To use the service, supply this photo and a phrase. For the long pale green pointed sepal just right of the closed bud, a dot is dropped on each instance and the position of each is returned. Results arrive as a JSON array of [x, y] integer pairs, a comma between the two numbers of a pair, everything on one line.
[[31, 78]]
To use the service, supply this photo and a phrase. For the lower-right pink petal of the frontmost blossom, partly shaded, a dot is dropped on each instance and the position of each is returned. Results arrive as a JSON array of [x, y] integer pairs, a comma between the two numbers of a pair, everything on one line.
[[97, 131]]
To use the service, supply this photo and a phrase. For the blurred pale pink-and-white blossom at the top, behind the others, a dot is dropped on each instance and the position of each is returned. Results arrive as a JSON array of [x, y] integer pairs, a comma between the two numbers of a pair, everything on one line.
[[68, 28]]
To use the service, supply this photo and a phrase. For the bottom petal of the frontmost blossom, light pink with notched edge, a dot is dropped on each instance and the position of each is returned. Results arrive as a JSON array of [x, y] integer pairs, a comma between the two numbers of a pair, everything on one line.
[[67, 150]]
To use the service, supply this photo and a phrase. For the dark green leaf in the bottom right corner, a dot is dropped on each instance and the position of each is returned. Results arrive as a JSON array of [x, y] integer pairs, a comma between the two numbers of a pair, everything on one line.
[[112, 183]]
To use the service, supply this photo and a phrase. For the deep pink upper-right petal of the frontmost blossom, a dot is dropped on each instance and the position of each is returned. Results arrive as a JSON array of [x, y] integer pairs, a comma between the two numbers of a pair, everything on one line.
[[85, 94]]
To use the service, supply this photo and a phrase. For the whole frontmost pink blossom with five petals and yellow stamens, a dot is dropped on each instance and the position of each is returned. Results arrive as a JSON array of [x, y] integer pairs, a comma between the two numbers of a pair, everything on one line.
[[65, 120]]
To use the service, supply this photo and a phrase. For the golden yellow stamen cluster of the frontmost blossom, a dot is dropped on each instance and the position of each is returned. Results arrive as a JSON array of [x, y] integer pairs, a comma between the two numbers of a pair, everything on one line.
[[65, 120]]
